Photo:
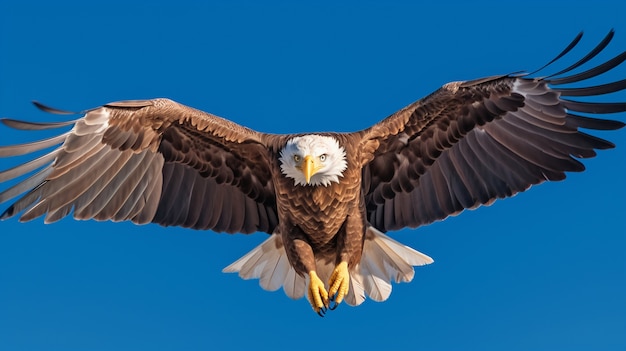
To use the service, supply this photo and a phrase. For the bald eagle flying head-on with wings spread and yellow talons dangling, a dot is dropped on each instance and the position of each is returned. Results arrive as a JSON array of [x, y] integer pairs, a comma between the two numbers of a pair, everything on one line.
[[326, 199]]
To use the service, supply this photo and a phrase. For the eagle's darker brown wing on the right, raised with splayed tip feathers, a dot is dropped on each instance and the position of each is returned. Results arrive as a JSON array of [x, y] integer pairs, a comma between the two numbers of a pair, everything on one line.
[[470, 143]]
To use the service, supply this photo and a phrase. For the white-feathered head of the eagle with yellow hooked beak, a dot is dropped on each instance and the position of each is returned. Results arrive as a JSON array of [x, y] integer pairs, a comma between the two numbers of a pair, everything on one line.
[[313, 160]]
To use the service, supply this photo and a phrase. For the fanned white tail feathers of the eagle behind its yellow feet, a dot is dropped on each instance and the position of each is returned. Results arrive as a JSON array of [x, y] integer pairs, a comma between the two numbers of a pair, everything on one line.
[[383, 260]]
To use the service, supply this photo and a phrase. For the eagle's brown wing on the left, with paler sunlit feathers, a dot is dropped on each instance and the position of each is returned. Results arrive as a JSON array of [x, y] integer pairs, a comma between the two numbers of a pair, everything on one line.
[[146, 161]]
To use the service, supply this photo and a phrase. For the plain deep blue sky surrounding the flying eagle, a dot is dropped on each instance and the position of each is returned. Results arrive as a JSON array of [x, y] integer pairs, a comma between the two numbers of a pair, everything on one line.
[[544, 270]]
